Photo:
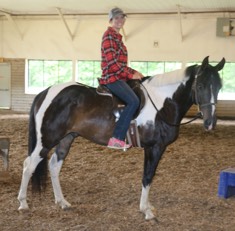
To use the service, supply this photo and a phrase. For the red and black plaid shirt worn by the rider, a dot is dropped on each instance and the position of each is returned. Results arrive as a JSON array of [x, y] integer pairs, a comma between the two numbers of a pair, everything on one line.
[[114, 58]]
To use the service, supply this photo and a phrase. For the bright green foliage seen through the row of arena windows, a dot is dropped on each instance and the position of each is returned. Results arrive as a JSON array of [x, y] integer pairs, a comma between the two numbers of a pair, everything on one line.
[[44, 73]]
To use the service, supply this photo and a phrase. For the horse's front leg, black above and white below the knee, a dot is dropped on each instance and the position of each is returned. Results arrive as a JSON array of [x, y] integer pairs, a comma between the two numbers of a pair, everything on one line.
[[152, 157]]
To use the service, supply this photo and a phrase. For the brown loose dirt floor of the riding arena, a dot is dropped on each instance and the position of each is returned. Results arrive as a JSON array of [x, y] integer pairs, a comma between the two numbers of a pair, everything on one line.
[[104, 185]]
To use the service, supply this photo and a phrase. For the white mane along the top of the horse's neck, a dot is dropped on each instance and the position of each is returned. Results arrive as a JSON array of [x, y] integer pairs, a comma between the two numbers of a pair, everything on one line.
[[168, 78]]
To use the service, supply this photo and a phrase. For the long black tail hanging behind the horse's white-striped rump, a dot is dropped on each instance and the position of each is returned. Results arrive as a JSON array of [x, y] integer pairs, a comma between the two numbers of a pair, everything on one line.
[[39, 176]]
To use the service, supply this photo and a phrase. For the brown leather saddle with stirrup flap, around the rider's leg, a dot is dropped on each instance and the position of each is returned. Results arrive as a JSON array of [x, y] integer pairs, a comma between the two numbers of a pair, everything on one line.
[[118, 107]]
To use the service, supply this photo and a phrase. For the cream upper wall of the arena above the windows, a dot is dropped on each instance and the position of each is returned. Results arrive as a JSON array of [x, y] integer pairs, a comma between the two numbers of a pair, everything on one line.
[[47, 38]]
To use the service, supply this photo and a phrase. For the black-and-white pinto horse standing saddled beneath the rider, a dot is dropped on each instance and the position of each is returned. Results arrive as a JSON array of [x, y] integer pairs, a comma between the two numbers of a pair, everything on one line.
[[63, 112]]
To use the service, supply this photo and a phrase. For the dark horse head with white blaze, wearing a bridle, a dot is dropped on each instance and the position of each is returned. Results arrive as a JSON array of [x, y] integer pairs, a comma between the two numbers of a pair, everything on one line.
[[206, 87]]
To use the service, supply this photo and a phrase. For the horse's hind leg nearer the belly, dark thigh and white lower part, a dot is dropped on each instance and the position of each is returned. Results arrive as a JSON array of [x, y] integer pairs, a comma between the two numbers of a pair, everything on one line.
[[55, 165]]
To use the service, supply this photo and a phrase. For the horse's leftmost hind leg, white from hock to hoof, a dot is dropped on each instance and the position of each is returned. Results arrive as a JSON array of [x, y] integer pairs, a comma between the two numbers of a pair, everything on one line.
[[30, 165]]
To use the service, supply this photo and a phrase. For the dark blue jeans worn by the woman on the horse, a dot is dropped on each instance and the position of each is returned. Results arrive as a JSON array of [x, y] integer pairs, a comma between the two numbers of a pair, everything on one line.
[[123, 91]]
